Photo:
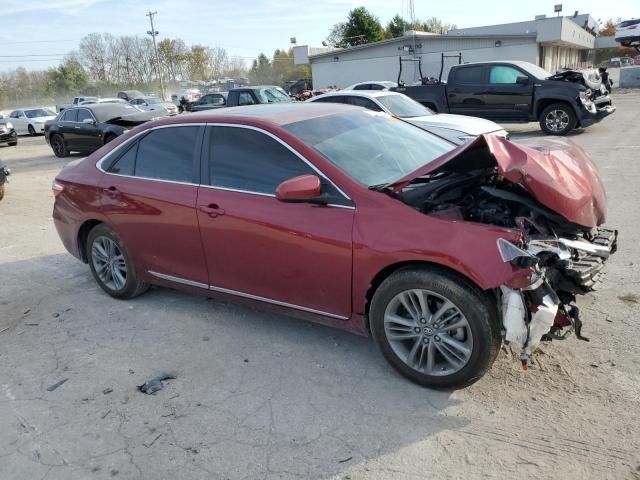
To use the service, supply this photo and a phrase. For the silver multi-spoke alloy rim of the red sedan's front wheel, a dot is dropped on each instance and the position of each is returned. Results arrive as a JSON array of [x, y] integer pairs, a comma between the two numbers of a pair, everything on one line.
[[428, 332]]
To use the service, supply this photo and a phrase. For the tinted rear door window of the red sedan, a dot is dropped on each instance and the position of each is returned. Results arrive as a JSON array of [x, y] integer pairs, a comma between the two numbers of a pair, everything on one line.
[[167, 154]]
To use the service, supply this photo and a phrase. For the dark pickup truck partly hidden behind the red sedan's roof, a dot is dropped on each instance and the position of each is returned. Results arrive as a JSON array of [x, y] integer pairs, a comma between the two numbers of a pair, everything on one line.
[[240, 96]]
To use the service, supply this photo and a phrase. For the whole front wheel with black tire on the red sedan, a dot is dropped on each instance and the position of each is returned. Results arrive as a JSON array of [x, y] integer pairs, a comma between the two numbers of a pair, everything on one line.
[[434, 327]]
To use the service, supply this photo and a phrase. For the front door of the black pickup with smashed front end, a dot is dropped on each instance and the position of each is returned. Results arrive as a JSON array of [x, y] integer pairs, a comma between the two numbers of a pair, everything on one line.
[[506, 99]]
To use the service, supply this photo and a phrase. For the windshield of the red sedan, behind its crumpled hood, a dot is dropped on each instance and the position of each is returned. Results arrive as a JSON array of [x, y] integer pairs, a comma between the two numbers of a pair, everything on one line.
[[372, 148]]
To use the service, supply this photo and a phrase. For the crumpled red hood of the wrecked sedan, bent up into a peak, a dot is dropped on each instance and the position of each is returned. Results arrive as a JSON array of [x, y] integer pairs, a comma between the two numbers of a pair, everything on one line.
[[555, 171]]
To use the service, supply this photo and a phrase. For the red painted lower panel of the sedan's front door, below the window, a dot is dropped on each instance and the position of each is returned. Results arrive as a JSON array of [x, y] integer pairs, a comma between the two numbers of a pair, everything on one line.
[[296, 253]]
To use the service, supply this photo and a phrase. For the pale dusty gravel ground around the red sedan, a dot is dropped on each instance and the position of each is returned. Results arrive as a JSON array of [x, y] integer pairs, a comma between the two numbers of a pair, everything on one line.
[[265, 396]]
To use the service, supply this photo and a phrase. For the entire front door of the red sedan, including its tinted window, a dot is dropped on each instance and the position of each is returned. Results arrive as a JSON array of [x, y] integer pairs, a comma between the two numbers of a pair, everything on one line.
[[293, 254]]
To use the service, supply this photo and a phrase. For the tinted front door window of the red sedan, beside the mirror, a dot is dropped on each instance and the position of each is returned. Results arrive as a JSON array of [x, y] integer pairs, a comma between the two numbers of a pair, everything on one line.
[[247, 160]]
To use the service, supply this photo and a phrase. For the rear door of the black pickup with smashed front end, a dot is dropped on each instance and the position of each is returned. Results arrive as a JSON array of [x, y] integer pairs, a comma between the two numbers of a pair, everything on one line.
[[466, 89]]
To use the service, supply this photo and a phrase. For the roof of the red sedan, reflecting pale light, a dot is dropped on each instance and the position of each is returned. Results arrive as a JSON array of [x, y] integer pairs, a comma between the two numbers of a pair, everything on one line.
[[282, 113]]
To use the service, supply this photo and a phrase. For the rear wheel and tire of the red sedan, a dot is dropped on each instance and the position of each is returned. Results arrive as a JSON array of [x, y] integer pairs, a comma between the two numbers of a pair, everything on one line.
[[111, 264]]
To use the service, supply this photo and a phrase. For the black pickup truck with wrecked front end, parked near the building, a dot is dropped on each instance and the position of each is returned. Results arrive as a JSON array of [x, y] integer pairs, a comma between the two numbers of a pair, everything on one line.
[[516, 92]]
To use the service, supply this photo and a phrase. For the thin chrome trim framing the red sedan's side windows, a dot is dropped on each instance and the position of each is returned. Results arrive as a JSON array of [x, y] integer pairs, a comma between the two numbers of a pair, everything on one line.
[[127, 142]]
